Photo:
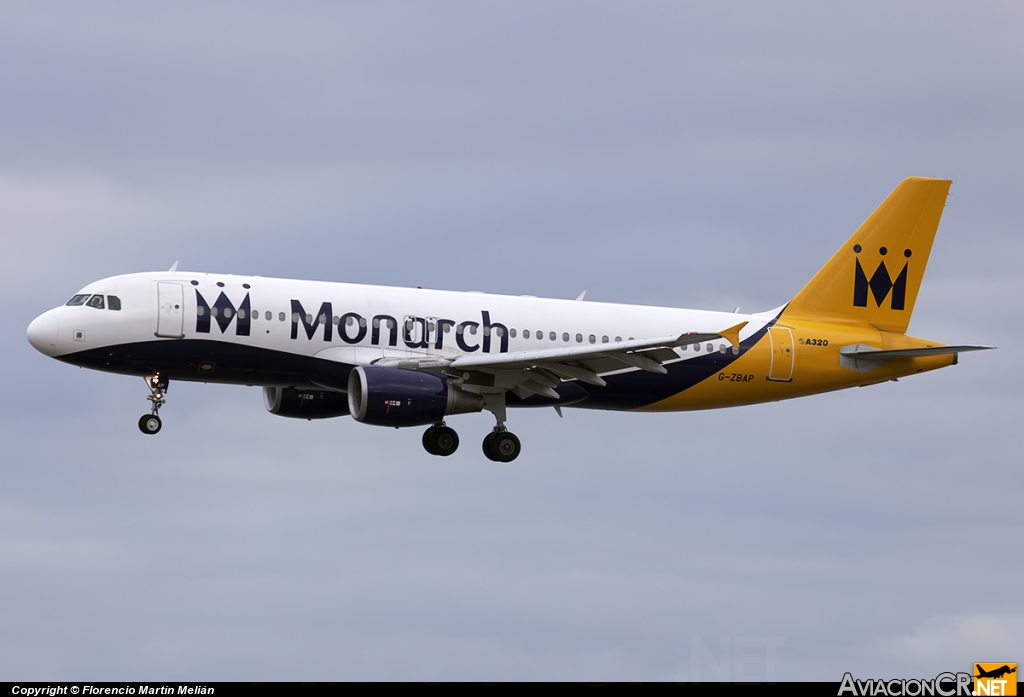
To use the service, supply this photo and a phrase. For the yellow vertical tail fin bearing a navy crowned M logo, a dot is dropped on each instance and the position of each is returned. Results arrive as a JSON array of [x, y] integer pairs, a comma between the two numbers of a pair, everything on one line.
[[876, 276]]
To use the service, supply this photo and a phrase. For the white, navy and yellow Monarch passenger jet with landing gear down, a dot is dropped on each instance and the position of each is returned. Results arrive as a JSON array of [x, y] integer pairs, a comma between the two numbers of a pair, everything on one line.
[[411, 358]]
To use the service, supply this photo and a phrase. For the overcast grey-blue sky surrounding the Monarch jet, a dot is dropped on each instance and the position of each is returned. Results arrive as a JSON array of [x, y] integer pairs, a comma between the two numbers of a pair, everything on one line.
[[688, 155]]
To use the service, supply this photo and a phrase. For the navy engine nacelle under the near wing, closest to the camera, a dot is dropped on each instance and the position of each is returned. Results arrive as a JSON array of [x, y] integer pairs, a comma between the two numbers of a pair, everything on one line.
[[396, 397]]
